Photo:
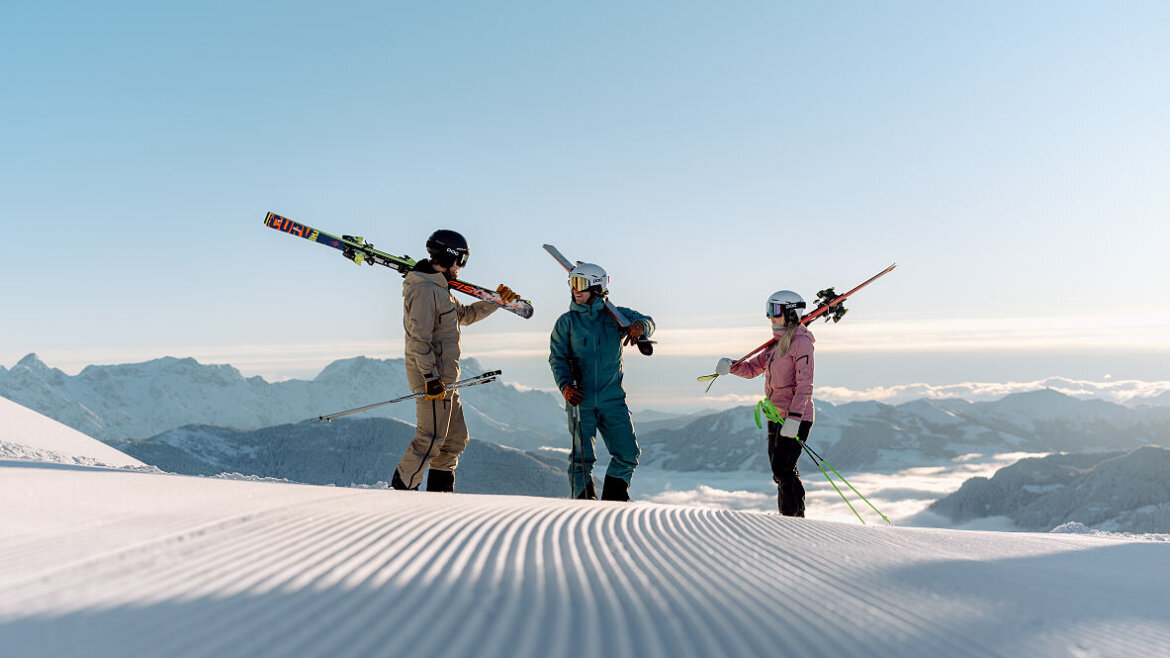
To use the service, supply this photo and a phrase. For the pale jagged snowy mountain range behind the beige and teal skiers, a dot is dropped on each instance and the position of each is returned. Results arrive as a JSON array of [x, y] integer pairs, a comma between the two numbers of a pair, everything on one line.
[[144, 400]]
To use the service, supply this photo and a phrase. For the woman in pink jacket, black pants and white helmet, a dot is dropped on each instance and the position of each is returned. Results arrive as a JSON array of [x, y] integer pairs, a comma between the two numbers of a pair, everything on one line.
[[788, 382]]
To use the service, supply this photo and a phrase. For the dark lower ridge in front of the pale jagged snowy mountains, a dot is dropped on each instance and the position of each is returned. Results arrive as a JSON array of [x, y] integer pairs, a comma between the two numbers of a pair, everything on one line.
[[345, 453]]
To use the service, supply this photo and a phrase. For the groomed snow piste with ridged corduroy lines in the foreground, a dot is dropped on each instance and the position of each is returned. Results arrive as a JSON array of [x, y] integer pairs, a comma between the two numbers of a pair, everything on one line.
[[373, 573]]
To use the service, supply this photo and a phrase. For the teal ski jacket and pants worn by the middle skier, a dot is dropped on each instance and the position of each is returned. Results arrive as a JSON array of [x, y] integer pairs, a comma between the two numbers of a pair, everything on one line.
[[586, 352]]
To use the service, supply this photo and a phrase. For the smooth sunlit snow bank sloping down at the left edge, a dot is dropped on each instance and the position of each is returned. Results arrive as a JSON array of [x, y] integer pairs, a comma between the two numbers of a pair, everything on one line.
[[27, 435]]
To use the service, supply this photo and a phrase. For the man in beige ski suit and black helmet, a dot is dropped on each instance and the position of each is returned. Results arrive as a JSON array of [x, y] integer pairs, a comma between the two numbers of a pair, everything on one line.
[[432, 318]]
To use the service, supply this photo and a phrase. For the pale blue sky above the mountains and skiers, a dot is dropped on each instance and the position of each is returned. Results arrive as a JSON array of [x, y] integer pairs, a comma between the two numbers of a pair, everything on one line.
[[1013, 157]]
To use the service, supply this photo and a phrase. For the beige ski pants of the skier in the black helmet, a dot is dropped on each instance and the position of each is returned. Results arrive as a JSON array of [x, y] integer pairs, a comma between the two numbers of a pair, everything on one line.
[[441, 437]]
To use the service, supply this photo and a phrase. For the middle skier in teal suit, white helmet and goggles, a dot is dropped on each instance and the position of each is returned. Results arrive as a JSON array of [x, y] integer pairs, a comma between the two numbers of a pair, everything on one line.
[[586, 355]]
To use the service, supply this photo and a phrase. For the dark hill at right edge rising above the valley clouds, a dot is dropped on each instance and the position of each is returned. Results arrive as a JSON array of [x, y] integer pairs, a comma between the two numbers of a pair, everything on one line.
[[1109, 491]]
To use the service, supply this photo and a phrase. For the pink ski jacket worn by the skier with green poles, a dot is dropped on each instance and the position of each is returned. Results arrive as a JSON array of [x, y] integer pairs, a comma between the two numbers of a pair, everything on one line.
[[788, 382]]
